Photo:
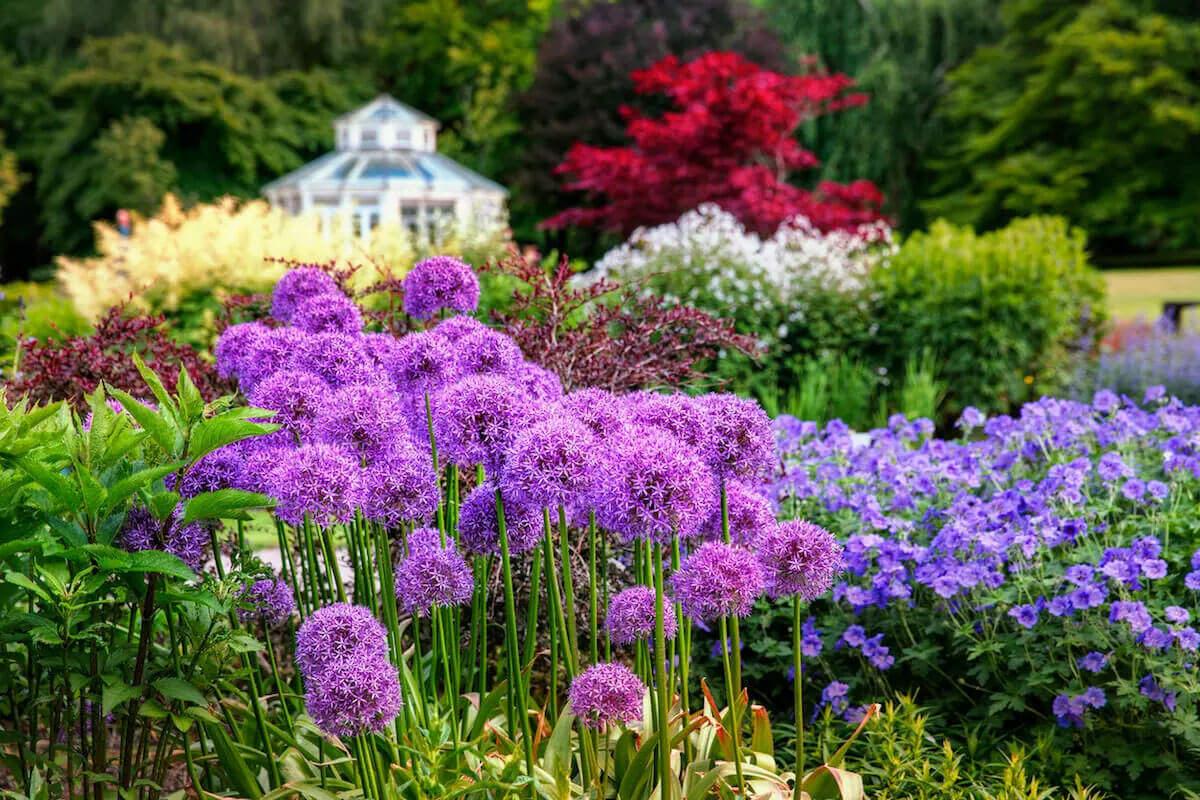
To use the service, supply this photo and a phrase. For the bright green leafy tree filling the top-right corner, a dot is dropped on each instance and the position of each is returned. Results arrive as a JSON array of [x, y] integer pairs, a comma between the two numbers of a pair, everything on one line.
[[1088, 110]]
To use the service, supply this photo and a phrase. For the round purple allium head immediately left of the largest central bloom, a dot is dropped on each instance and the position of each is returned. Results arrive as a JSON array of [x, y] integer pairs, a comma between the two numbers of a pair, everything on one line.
[[553, 464]]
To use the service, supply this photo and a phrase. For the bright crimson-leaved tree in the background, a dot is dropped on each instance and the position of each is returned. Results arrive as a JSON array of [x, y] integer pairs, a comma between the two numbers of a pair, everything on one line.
[[729, 141]]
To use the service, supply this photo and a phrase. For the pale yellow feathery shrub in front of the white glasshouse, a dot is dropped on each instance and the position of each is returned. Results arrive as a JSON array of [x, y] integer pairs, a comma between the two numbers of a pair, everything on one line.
[[224, 246]]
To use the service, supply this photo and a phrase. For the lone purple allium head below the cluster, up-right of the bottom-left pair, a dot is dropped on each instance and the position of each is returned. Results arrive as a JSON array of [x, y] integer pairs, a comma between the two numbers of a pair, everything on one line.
[[433, 576]]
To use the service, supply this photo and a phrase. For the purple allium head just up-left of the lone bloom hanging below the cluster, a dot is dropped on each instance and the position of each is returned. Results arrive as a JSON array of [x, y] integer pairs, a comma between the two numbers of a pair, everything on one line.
[[400, 486]]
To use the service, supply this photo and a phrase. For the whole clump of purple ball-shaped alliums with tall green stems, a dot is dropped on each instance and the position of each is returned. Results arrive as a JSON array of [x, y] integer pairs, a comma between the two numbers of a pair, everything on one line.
[[415, 477]]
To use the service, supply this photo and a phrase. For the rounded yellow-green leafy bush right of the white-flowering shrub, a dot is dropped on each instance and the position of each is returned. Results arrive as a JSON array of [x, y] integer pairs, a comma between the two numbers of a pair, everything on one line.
[[1005, 314]]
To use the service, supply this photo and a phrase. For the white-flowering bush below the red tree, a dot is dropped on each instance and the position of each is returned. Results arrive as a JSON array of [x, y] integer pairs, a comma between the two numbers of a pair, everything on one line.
[[802, 292]]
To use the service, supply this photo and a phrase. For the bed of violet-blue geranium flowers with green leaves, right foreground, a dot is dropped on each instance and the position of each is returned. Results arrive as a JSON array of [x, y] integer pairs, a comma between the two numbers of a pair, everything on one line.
[[1033, 578]]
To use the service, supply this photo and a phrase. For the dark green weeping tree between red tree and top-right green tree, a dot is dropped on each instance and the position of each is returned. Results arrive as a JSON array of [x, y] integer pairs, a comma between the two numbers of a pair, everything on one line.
[[899, 53]]
